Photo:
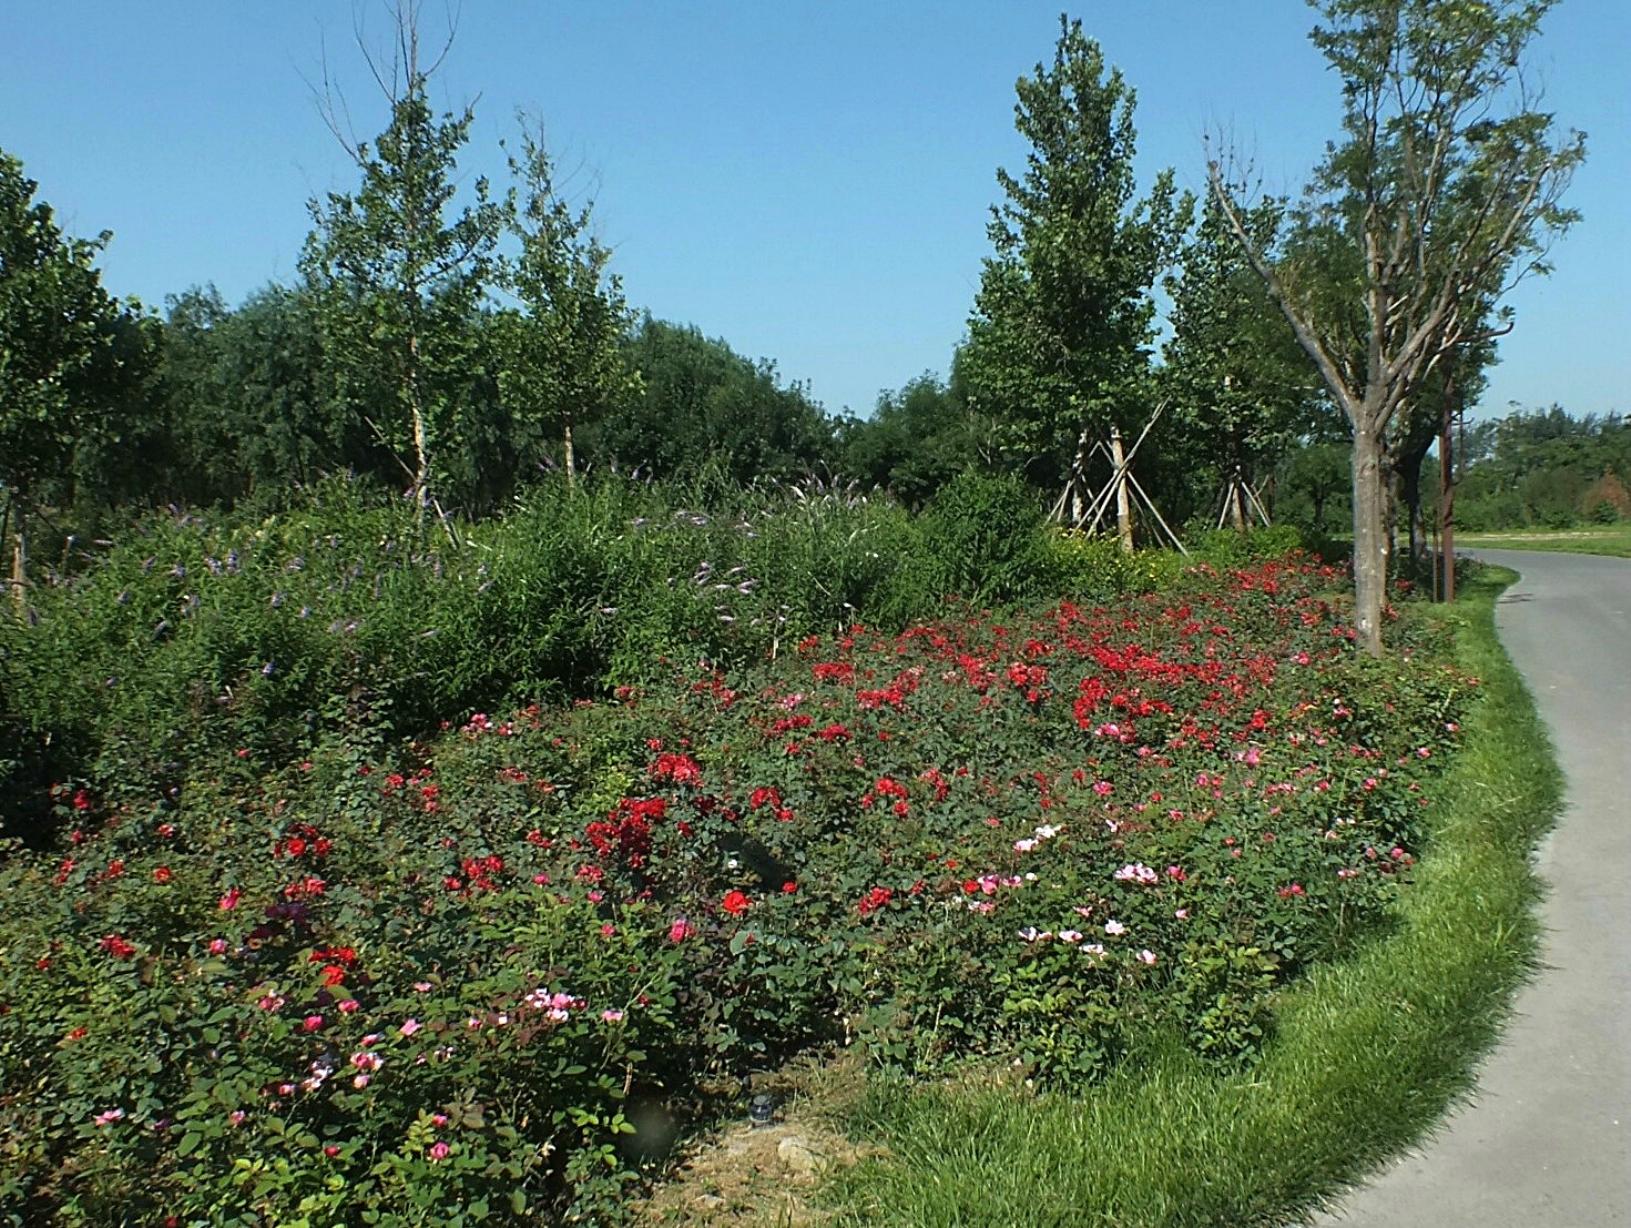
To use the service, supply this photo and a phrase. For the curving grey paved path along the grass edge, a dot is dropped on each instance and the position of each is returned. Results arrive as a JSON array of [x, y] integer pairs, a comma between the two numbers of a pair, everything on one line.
[[1549, 1139]]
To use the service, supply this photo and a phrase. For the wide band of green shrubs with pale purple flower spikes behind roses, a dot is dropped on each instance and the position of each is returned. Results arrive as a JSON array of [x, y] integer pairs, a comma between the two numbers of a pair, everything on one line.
[[280, 625]]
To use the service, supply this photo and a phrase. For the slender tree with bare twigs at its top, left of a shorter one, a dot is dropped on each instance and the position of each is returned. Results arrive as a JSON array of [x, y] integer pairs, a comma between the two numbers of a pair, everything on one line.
[[400, 270]]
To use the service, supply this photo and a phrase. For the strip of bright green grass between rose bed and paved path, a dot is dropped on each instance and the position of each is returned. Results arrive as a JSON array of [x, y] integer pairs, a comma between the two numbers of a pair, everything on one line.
[[1368, 1058]]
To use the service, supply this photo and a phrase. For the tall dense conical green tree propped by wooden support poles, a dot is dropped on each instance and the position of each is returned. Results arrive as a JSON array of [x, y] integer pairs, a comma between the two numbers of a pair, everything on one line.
[[1064, 320]]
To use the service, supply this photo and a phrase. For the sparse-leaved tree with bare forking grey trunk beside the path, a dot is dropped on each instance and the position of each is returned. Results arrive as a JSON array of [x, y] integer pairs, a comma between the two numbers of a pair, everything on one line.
[[1444, 188]]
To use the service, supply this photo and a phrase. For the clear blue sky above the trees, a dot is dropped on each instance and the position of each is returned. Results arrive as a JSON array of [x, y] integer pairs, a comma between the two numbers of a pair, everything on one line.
[[807, 180]]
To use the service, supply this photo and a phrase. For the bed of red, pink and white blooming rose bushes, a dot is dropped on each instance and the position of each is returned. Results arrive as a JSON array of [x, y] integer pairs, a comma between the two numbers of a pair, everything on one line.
[[396, 981]]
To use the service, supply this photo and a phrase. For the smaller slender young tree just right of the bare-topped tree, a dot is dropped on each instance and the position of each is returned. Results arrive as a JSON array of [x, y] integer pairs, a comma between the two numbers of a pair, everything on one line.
[[562, 358]]
